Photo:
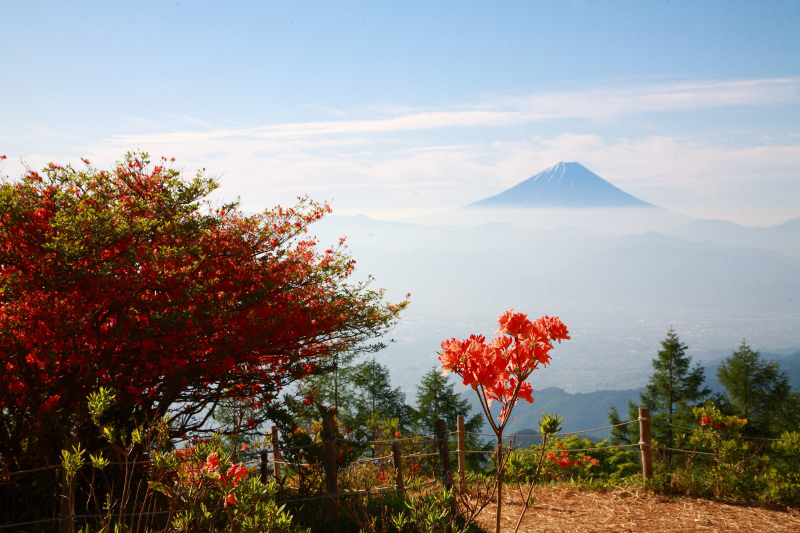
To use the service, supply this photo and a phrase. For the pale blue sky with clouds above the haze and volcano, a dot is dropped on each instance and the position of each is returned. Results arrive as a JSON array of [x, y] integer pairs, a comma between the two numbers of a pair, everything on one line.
[[398, 108]]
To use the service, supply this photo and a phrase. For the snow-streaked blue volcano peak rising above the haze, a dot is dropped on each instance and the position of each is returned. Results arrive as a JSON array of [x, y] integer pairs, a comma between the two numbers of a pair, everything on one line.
[[564, 185]]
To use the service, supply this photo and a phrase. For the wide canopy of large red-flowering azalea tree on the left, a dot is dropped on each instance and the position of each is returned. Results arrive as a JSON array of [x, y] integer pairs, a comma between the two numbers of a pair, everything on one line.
[[129, 278]]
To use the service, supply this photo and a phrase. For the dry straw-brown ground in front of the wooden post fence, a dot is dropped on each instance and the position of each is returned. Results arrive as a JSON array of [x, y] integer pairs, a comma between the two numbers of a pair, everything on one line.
[[566, 509]]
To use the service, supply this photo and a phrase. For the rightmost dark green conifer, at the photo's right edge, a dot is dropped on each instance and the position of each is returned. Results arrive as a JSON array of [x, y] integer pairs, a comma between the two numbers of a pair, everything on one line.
[[759, 391]]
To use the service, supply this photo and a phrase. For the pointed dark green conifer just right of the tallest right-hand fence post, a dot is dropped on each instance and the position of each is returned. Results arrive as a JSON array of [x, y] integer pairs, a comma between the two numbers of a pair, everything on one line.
[[674, 388]]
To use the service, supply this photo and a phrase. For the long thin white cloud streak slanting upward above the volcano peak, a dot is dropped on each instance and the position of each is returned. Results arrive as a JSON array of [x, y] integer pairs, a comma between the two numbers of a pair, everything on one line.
[[598, 103]]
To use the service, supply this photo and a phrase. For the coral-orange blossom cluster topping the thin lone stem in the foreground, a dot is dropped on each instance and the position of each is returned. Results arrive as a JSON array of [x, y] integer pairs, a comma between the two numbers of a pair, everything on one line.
[[501, 367]]
